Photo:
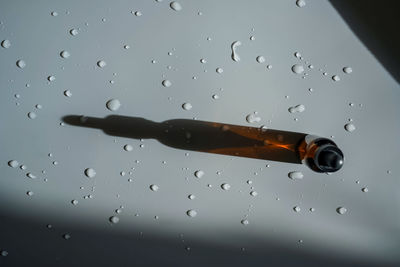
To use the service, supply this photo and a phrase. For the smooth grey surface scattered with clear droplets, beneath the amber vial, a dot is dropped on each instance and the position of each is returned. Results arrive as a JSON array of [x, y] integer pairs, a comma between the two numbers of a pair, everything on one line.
[[366, 234]]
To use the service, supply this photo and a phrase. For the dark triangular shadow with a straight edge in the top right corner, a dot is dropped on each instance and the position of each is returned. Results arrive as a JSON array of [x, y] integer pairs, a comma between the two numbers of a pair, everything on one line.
[[377, 27]]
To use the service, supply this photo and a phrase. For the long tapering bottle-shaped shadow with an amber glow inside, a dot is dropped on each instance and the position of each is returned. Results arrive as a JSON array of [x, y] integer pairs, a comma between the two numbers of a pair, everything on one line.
[[203, 136]]
